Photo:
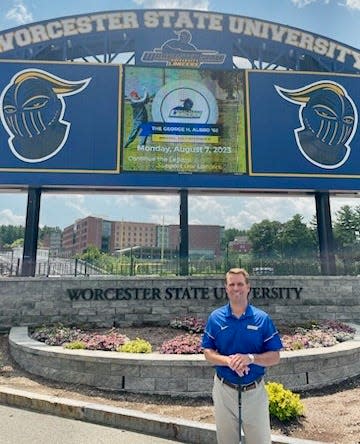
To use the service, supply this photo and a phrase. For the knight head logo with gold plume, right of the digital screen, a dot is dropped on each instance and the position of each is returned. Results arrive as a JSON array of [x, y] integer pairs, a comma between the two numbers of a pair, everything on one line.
[[328, 118]]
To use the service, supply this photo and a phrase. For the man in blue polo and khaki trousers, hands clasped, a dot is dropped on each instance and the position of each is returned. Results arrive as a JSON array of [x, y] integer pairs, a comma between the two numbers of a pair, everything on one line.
[[241, 340]]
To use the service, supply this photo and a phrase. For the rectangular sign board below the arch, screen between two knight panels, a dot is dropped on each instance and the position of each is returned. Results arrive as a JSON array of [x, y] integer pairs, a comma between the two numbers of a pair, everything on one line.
[[69, 125]]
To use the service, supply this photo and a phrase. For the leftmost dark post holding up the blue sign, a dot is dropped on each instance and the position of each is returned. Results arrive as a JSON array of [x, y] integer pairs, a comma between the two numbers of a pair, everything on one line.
[[31, 232]]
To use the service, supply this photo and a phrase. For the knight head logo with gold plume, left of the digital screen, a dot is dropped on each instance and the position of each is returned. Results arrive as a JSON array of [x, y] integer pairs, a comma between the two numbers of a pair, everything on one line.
[[32, 108]]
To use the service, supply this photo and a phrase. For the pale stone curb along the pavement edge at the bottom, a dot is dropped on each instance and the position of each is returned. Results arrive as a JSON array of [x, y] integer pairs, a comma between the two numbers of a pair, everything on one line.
[[191, 432]]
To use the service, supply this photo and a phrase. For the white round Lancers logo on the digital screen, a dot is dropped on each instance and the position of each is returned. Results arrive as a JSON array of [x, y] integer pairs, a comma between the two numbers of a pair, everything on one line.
[[184, 101]]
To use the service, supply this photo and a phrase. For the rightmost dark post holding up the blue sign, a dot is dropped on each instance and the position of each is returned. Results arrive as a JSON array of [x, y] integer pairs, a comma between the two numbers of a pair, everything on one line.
[[325, 234]]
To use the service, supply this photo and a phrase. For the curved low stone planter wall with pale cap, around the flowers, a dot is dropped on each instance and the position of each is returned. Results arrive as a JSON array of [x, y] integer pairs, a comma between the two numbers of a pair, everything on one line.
[[185, 375]]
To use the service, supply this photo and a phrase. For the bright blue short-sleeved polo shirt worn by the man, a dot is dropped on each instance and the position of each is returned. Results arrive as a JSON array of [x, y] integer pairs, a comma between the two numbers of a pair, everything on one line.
[[254, 332]]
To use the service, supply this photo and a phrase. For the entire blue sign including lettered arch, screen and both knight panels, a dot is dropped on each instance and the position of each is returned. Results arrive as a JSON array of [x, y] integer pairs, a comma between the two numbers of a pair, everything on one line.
[[163, 125]]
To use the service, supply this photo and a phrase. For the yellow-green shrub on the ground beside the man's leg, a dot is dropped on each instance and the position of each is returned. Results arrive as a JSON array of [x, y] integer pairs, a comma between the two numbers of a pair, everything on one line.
[[283, 403]]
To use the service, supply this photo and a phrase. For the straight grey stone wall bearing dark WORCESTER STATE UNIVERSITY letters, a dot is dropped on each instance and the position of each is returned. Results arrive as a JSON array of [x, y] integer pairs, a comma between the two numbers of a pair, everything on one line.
[[113, 301]]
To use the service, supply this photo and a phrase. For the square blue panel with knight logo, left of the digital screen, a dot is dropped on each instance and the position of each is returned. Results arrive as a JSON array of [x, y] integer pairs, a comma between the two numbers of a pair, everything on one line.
[[55, 120]]
